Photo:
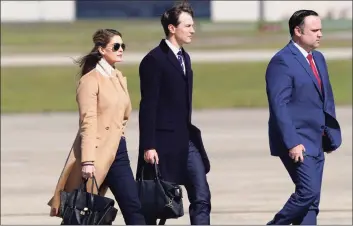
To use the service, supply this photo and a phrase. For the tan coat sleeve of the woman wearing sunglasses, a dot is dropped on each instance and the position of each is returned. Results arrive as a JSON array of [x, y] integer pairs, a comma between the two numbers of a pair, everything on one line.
[[87, 92]]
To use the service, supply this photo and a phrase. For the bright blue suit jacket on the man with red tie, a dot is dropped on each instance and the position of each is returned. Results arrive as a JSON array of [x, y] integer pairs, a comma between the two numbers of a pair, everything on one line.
[[299, 112]]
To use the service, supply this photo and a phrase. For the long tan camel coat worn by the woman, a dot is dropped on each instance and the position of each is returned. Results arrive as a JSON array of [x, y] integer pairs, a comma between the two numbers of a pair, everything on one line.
[[104, 109]]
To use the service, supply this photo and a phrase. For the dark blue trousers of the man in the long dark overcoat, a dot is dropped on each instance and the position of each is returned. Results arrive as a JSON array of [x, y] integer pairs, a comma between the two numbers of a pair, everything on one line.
[[197, 189]]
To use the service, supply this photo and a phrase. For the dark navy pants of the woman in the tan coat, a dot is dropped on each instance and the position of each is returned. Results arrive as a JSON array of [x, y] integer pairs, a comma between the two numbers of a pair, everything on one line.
[[123, 186]]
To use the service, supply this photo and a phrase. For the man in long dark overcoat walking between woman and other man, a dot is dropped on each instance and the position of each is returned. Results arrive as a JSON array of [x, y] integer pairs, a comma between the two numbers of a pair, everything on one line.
[[166, 132]]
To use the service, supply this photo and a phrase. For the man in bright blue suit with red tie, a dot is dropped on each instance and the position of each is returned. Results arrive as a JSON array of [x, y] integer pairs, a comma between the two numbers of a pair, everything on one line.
[[302, 122]]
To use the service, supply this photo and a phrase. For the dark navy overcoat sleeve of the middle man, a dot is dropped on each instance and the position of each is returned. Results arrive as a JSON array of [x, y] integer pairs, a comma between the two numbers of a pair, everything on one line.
[[150, 75]]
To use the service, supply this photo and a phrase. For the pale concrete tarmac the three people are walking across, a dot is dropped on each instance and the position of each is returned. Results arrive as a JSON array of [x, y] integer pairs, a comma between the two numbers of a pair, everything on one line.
[[248, 185]]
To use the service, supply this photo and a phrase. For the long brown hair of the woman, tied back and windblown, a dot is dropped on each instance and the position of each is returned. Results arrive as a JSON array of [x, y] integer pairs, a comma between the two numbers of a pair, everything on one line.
[[100, 38]]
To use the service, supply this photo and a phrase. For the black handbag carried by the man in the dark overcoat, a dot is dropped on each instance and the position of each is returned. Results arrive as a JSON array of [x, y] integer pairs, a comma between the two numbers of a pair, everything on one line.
[[160, 199]]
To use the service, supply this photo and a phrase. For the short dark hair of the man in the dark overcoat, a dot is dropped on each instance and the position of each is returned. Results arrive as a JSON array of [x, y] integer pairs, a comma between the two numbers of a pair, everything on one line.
[[171, 16]]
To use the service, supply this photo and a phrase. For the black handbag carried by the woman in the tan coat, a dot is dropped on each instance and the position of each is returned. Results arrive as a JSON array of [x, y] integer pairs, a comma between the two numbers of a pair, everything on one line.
[[80, 207]]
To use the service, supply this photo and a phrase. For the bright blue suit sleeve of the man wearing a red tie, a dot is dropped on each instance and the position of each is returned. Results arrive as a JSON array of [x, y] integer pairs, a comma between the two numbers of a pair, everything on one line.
[[279, 90]]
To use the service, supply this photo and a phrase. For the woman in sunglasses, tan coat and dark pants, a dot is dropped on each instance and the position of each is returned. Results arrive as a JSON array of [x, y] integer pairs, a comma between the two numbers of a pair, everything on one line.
[[100, 146]]
